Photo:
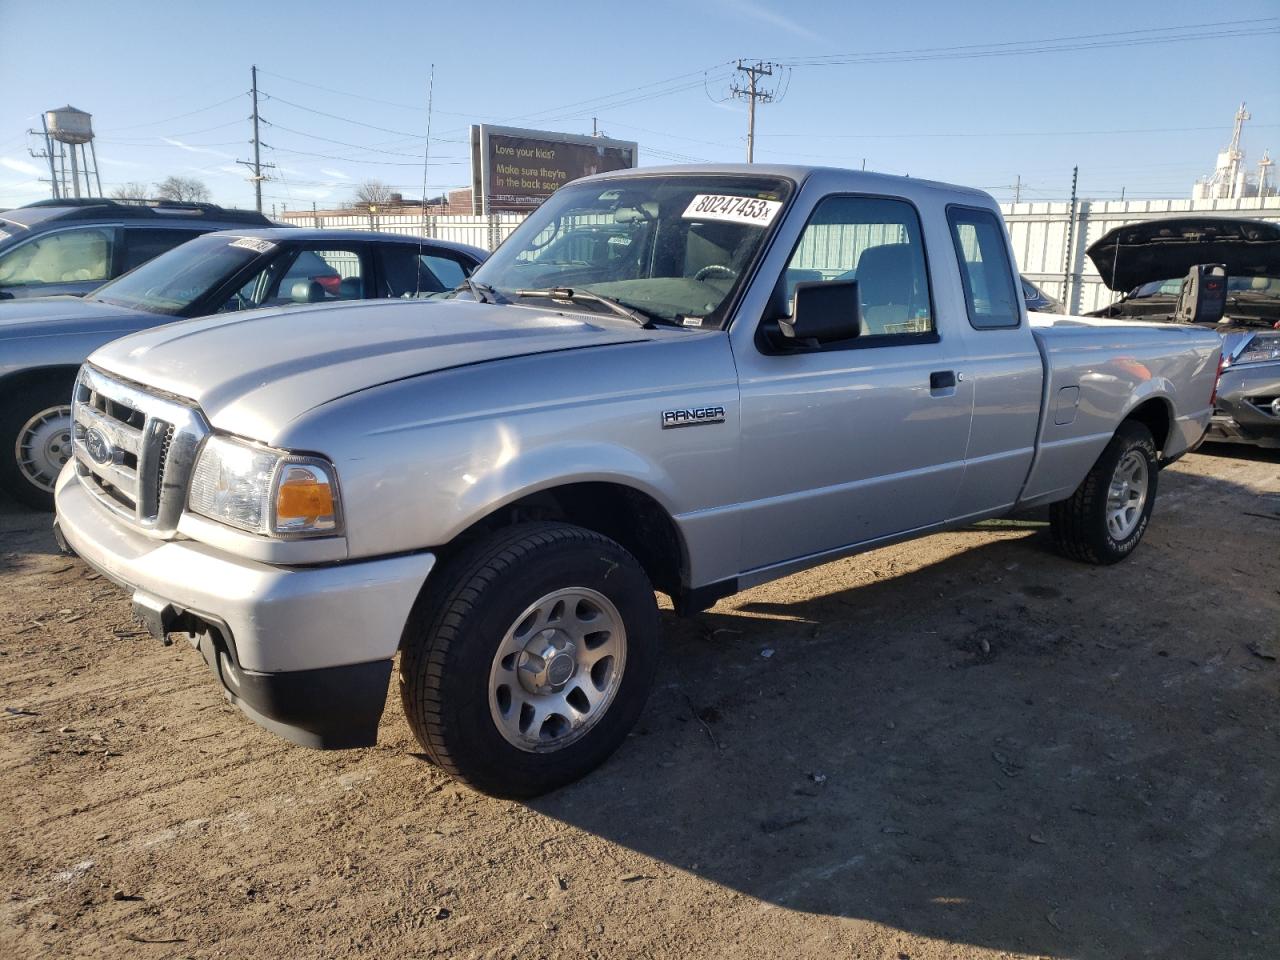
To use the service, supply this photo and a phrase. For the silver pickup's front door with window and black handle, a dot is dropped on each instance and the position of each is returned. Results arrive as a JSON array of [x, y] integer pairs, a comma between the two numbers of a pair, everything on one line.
[[862, 440]]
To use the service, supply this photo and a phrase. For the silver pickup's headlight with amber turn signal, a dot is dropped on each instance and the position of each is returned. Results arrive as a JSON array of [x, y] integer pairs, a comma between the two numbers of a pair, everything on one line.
[[267, 492]]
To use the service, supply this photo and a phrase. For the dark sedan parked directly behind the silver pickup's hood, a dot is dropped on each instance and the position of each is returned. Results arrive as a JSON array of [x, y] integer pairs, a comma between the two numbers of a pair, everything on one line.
[[43, 342]]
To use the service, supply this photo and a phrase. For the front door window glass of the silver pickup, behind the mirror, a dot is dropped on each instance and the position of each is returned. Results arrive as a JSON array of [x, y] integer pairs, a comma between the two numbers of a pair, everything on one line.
[[876, 243]]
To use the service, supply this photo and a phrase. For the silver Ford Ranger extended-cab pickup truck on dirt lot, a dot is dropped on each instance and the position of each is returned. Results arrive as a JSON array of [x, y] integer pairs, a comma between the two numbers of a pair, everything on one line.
[[679, 380]]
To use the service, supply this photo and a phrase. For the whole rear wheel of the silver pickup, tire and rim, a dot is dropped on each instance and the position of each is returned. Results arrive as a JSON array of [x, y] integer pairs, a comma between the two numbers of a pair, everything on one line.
[[1105, 519]]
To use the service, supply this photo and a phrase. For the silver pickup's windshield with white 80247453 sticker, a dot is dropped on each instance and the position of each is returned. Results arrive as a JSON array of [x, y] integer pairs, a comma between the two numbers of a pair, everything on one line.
[[671, 249]]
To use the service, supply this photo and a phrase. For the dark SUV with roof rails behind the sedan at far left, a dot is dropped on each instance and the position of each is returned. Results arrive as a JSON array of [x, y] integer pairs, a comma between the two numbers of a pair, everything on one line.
[[74, 246]]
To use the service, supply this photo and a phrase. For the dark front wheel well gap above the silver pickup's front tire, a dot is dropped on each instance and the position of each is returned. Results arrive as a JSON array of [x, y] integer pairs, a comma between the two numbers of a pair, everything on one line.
[[633, 519]]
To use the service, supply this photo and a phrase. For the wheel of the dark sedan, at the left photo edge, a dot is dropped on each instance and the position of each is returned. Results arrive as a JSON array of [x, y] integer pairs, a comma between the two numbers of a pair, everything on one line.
[[35, 442]]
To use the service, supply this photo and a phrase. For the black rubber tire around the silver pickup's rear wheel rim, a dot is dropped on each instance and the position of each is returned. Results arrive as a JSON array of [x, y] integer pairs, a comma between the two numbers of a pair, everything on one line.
[[1080, 524]]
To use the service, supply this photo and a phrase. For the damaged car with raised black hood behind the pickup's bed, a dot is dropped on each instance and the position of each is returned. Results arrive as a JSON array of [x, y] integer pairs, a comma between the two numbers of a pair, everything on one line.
[[1150, 260]]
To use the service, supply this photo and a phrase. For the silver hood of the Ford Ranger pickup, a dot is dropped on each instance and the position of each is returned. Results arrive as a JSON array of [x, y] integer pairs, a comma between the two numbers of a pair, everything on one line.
[[254, 373]]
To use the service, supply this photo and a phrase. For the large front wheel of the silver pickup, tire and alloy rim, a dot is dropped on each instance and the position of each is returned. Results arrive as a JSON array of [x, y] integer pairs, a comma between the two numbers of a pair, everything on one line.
[[529, 659]]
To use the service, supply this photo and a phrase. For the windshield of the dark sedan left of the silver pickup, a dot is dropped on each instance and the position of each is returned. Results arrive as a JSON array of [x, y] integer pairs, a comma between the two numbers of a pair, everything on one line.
[[175, 281]]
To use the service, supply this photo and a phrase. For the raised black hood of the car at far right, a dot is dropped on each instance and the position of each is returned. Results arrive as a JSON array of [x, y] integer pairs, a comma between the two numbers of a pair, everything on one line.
[[1163, 250]]
